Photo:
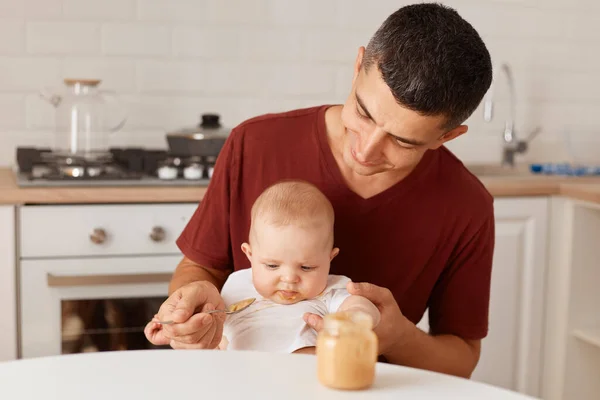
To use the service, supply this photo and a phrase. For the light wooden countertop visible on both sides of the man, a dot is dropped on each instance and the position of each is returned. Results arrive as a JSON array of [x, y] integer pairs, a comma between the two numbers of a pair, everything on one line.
[[585, 188]]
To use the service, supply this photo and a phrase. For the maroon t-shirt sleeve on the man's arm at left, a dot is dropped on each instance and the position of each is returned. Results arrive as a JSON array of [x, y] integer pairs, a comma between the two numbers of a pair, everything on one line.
[[206, 237]]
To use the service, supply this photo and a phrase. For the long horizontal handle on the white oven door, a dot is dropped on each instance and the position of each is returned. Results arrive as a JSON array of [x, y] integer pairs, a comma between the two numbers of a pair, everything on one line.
[[105, 279]]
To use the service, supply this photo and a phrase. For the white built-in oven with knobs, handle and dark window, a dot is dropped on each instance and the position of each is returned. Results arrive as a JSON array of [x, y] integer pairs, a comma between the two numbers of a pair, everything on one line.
[[92, 276]]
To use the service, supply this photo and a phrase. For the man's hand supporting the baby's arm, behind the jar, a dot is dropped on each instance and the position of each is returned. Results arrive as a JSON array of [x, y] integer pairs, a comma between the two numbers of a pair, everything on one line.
[[392, 322]]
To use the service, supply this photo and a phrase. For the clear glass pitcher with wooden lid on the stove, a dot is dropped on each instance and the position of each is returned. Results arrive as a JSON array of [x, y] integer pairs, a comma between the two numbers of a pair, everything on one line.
[[85, 118]]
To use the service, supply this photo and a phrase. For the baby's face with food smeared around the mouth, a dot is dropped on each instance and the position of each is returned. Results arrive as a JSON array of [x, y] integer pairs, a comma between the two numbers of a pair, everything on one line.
[[289, 264]]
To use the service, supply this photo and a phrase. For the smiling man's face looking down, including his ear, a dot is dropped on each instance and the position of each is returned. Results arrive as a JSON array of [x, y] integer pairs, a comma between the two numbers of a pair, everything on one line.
[[380, 134]]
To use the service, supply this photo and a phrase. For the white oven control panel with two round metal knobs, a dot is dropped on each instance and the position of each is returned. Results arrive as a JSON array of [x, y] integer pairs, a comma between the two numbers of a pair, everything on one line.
[[89, 230]]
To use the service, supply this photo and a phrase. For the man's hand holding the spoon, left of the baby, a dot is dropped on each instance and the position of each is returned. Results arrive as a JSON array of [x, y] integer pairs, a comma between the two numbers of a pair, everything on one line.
[[191, 328]]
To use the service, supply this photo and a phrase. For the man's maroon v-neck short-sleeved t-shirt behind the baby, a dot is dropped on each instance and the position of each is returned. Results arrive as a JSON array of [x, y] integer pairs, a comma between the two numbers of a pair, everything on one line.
[[429, 238]]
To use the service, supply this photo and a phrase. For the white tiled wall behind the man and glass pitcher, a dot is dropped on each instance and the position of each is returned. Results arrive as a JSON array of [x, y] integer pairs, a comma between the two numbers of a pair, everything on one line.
[[172, 60]]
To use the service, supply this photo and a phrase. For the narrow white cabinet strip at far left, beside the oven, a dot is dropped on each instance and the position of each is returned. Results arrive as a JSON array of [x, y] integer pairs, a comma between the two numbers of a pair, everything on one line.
[[8, 292]]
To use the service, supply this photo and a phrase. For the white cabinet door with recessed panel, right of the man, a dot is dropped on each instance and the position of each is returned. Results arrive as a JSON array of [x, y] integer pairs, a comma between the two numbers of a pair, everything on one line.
[[511, 354]]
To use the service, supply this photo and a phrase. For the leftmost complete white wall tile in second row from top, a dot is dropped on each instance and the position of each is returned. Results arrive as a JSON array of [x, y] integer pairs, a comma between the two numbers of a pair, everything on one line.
[[63, 38]]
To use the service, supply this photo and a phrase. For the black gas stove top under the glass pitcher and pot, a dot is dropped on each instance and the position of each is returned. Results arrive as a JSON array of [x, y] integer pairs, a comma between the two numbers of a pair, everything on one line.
[[118, 167]]
